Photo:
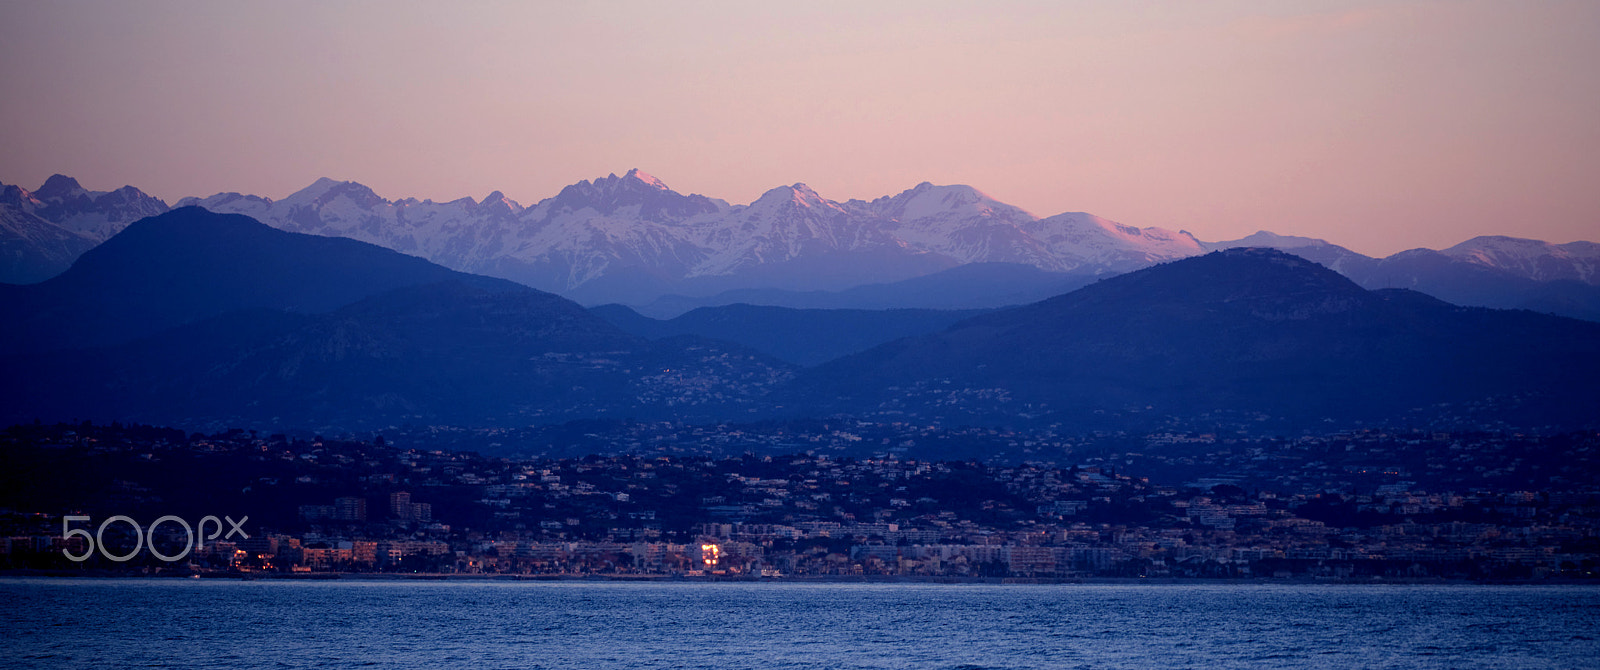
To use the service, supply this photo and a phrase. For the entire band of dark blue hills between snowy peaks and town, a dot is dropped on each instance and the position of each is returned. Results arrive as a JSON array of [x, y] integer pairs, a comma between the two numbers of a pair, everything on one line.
[[215, 321]]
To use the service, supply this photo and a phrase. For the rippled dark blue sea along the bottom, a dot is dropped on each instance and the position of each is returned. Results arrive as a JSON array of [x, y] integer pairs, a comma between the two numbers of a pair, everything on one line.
[[406, 624]]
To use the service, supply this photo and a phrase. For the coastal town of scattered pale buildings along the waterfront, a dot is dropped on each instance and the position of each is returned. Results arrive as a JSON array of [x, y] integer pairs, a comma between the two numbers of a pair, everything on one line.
[[809, 501]]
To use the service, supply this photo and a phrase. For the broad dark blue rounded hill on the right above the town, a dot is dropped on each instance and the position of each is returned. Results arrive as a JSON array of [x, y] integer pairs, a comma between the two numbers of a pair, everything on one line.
[[1249, 332]]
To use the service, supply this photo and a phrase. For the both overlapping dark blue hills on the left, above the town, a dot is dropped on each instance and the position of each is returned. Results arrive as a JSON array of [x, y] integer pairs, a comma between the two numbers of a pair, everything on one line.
[[198, 319]]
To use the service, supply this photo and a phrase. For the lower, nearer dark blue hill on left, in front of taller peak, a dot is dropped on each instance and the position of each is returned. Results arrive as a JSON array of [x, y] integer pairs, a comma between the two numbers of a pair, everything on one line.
[[433, 354]]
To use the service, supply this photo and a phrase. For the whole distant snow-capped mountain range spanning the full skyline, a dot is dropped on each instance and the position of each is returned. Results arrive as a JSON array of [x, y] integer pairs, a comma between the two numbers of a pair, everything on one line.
[[633, 239]]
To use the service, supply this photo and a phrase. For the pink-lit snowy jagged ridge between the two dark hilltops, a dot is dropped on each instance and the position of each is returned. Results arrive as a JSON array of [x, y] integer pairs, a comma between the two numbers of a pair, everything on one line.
[[634, 229]]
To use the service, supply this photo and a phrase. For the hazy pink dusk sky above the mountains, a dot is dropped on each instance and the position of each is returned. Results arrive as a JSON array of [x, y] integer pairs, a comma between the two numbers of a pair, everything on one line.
[[1378, 126]]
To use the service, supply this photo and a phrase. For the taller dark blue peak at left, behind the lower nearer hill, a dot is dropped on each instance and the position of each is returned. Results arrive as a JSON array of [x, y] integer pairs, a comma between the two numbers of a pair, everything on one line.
[[191, 265]]
